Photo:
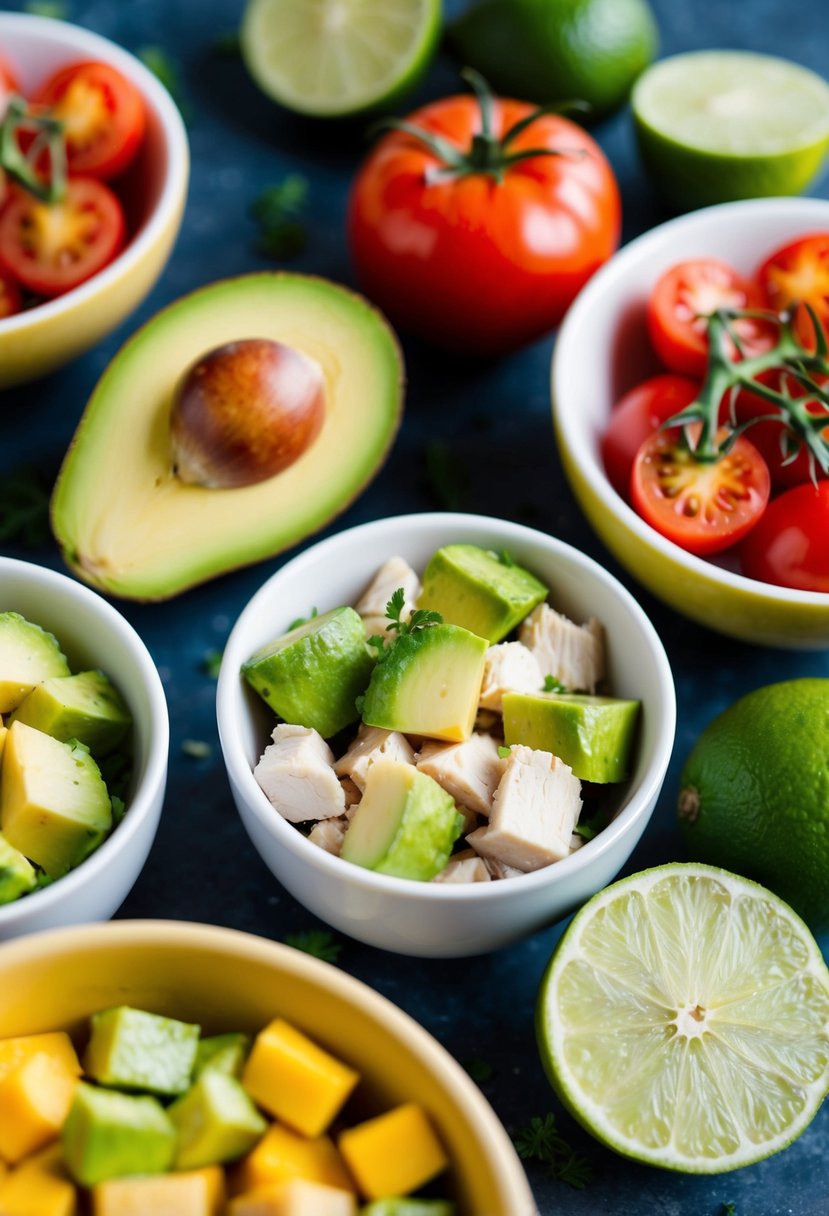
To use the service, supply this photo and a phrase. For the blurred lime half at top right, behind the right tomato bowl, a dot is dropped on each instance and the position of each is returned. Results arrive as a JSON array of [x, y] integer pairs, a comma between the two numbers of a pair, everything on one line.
[[718, 126]]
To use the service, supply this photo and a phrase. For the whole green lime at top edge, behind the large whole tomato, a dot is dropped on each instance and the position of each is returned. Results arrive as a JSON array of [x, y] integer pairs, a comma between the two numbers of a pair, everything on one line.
[[559, 50]]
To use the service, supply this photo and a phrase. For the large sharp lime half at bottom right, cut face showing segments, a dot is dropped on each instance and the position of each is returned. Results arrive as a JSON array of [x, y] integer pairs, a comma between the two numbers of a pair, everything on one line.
[[685, 1020]]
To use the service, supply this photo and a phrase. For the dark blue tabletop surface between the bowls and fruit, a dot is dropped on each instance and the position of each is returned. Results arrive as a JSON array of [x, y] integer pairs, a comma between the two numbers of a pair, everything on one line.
[[495, 418]]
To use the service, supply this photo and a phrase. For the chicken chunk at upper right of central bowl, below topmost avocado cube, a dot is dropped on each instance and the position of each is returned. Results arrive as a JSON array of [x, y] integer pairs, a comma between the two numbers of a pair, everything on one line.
[[572, 654]]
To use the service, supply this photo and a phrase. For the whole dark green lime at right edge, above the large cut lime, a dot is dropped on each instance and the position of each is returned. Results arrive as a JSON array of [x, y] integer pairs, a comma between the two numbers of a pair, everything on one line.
[[755, 793]]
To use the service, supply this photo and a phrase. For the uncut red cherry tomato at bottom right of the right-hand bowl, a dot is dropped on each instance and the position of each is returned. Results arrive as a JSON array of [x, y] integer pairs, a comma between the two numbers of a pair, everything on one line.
[[789, 547]]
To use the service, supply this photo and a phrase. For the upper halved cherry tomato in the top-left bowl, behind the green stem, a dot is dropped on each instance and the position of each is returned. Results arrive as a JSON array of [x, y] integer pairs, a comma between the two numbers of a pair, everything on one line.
[[103, 115]]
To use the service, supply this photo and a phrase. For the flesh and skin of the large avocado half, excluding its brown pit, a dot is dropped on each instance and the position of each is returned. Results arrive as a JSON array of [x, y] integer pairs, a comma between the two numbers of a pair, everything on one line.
[[125, 521]]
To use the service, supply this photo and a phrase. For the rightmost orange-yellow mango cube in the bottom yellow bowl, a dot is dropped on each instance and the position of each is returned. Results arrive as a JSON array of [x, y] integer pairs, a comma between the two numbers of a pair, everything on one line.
[[393, 1155]]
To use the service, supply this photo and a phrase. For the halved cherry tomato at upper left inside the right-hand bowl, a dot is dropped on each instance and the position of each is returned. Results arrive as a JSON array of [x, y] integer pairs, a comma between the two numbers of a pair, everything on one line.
[[683, 301]]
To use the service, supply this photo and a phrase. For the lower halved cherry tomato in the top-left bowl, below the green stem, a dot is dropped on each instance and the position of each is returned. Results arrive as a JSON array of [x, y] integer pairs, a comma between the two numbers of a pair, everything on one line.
[[53, 247]]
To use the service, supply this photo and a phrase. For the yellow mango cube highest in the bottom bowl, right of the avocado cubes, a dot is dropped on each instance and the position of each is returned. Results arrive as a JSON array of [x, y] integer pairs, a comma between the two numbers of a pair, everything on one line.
[[296, 1080]]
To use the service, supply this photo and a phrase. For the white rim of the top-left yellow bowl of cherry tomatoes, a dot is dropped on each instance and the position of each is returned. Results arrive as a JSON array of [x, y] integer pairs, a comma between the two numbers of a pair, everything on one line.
[[87, 42]]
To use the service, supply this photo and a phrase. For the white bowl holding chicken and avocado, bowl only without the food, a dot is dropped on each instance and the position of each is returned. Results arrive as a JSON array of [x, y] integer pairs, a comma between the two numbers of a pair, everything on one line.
[[435, 920]]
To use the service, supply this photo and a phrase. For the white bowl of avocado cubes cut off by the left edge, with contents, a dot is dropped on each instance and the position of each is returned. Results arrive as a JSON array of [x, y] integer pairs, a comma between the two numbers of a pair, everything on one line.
[[84, 741]]
